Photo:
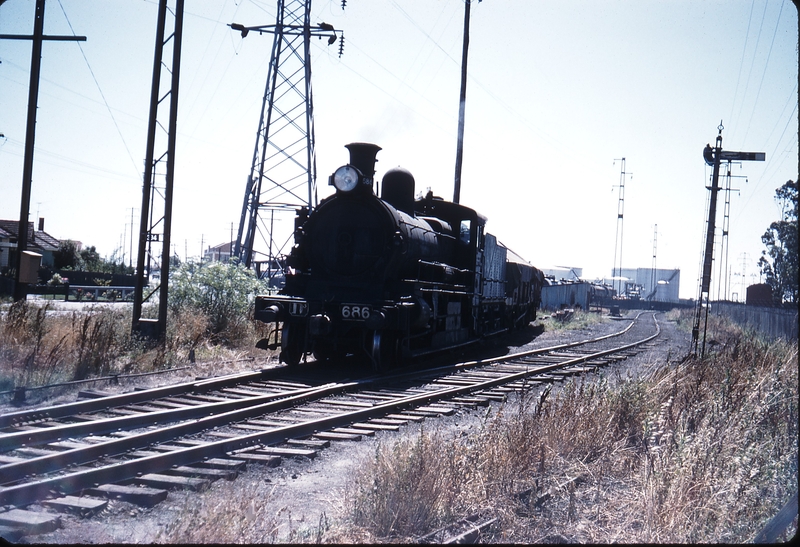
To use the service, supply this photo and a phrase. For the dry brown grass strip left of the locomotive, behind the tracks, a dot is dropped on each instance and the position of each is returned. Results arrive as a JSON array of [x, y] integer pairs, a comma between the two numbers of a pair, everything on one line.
[[41, 346]]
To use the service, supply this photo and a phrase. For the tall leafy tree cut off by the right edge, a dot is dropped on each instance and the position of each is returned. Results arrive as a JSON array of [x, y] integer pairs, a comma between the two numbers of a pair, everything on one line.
[[779, 261]]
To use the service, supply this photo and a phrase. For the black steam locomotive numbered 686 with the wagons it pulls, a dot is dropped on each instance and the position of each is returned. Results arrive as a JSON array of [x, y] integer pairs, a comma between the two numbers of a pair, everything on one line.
[[392, 277]]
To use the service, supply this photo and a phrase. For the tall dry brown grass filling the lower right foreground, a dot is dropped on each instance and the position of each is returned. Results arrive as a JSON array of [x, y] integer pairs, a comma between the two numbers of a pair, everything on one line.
[[701, 452]]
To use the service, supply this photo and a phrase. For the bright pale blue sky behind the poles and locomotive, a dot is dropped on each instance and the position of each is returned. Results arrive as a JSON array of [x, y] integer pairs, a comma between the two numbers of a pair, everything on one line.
[[557, 91]]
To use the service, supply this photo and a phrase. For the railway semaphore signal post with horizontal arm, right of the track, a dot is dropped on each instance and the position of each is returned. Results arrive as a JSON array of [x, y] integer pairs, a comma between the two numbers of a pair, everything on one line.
[[713, 156]]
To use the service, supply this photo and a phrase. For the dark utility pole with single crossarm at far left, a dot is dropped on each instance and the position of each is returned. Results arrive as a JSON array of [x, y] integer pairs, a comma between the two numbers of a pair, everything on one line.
[[38, 36]]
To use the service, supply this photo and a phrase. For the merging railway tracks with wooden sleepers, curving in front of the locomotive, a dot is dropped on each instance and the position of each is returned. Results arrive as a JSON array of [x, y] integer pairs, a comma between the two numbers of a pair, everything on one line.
[[137, 446]]
